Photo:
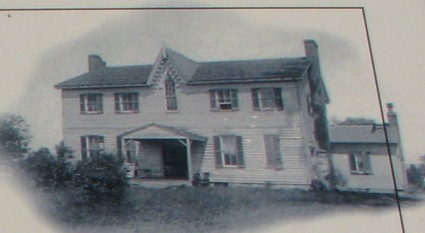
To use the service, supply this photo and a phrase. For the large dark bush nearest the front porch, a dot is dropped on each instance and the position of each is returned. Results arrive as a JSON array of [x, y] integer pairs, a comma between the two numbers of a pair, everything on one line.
[[101, 179]]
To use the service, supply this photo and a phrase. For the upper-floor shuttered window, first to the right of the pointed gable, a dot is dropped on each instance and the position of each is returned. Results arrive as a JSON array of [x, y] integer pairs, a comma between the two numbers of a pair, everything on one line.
[[224, 99]]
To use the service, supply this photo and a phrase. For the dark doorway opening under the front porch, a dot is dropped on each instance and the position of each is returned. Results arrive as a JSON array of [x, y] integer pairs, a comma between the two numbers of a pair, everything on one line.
[[175, 162]]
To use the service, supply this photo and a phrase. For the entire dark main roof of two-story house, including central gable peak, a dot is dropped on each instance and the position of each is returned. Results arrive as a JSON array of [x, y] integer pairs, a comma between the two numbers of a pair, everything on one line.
[[195, 73]]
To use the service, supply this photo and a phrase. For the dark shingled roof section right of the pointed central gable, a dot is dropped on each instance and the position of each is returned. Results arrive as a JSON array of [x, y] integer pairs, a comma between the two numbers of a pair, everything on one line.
[[282, 69]]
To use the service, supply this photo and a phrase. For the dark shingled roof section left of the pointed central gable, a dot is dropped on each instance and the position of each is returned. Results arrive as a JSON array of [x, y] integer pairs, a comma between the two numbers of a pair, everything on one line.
[[110, 77]]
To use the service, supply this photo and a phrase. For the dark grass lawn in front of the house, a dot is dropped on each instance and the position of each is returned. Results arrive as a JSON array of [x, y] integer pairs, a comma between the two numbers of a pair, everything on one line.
[[211, 209]]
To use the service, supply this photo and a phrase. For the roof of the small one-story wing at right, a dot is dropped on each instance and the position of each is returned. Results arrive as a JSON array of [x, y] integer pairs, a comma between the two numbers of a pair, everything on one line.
[[361, 134]]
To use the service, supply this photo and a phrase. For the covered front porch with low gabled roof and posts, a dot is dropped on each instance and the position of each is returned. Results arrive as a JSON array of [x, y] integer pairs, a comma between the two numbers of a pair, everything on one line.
[[158, 152]]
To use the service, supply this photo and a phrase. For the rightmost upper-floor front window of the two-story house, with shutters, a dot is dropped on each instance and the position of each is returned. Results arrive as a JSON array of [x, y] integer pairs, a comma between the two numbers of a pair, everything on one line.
[[267, 99]]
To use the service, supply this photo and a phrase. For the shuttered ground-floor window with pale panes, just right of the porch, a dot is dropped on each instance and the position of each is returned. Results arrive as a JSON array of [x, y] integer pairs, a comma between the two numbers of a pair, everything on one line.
[[228, 151]]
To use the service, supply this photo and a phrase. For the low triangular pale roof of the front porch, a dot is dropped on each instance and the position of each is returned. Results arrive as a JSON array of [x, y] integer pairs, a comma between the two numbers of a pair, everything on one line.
[[157, 131]]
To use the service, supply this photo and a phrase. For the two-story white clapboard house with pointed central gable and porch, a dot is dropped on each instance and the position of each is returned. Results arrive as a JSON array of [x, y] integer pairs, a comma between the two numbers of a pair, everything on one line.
[[247, 121]]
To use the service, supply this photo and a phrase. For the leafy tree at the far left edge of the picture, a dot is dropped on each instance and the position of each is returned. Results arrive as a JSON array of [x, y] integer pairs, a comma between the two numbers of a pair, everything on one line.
[[14, 135]]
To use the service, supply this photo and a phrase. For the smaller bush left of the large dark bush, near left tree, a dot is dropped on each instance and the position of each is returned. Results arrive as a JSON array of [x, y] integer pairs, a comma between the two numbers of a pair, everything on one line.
[[47, 171]]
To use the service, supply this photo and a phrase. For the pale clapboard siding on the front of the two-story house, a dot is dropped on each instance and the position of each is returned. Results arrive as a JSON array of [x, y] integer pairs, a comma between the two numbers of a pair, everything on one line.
[[194, 114]]
